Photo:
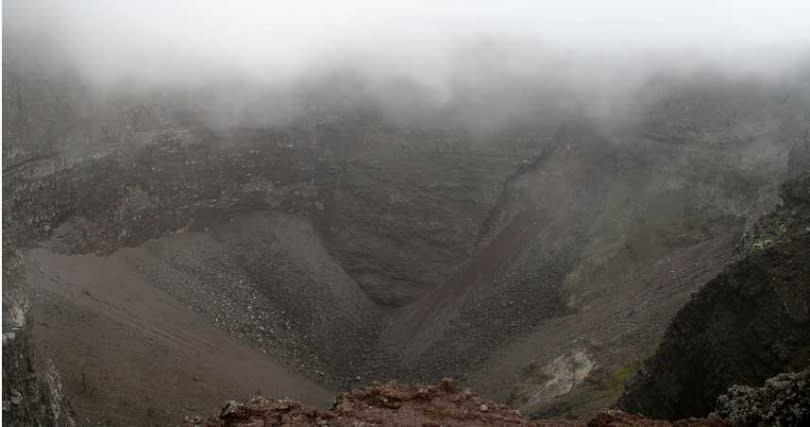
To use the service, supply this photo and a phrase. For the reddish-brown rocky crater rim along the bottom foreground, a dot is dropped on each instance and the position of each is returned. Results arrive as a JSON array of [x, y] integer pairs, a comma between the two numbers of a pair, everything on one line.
[[444, 404]]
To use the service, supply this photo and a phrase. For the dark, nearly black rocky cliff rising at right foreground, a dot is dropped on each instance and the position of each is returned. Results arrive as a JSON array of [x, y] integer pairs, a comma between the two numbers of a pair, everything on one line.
[[749, 323]]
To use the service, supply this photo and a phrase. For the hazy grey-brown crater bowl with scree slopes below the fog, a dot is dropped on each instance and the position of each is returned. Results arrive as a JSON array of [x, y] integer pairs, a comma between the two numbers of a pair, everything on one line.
[[538, 264]]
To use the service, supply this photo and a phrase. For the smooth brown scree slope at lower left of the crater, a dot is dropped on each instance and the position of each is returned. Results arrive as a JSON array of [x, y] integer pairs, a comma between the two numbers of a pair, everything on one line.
[[102, 323]]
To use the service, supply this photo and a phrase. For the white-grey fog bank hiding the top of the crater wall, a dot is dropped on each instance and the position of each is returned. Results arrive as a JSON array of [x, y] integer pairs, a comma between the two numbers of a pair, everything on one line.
[[495, 60]]
